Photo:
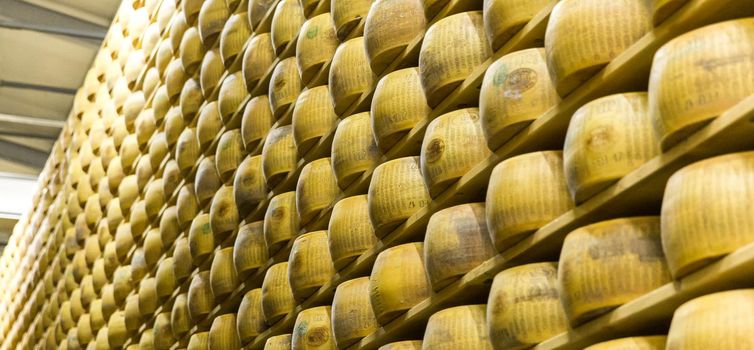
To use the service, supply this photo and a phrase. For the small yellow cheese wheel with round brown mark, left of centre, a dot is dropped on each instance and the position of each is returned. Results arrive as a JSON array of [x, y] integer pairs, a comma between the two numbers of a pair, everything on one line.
[[281, 221]]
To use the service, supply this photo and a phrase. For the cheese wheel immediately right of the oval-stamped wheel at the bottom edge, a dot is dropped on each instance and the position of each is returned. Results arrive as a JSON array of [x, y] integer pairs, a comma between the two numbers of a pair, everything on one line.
[[352, 315]]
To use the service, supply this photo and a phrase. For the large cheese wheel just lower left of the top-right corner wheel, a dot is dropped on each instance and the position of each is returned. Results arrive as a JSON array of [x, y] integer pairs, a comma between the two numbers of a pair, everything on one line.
[[607, 139]]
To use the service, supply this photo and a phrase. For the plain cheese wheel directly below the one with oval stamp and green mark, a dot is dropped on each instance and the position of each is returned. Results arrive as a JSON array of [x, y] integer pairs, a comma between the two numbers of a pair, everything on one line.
[[525, 193]]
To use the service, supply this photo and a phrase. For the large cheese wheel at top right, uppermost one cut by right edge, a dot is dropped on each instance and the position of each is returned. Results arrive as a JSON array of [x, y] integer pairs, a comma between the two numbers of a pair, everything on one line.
[[686, 91]]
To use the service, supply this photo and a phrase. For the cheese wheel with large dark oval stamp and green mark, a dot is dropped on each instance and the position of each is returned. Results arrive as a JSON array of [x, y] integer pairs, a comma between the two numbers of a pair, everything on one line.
[[517, 89]]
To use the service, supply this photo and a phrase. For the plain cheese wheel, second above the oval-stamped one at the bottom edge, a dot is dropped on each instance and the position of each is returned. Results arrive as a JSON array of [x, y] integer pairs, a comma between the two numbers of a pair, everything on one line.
[[316, 189]]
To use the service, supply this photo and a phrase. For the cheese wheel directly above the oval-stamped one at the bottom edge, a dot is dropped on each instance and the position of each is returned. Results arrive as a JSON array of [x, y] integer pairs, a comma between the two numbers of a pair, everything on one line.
[[309, 265]]
